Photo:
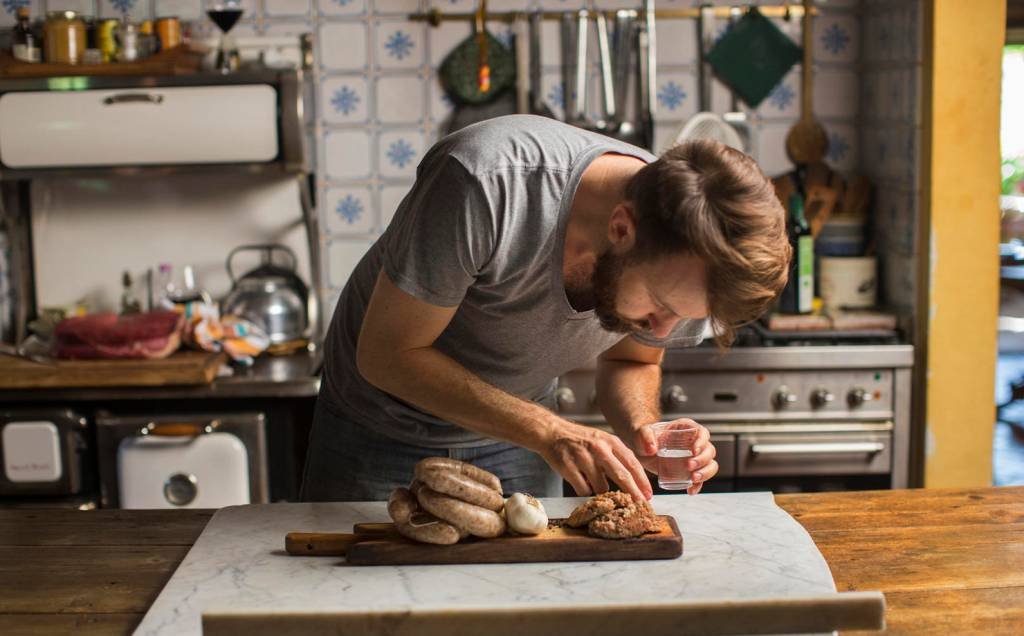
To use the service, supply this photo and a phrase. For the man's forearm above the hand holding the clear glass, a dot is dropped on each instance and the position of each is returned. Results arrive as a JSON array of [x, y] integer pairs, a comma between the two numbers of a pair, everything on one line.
[[628, 395]]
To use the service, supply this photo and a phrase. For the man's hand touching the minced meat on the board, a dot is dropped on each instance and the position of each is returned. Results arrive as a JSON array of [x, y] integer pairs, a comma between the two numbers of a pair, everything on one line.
[[590, 458]]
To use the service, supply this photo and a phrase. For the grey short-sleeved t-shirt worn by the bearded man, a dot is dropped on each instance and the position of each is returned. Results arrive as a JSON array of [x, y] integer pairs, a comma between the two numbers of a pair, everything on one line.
[[484, 229]]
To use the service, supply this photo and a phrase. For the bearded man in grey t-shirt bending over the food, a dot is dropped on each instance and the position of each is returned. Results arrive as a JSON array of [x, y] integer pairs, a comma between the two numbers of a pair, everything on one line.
[[528, 248]]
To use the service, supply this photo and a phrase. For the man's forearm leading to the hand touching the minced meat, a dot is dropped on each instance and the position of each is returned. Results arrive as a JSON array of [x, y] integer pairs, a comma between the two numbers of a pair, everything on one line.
[[436, 384]]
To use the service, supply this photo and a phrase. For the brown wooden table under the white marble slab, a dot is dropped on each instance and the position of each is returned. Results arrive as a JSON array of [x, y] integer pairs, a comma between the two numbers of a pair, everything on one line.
[[949, 561]]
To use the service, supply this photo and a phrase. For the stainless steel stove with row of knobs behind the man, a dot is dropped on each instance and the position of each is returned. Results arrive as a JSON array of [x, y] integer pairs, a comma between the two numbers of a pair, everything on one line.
[[803, 417]]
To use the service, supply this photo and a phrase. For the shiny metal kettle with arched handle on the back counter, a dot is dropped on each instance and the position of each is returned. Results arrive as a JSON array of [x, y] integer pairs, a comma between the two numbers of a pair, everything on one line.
[[272, 296]]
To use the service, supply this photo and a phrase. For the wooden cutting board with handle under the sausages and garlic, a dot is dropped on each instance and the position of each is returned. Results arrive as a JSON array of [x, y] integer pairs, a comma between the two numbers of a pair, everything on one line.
[[380, 544]]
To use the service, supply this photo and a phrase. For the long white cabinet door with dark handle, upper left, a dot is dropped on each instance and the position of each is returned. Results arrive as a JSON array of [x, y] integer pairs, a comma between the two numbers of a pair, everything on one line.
[[139, 126]]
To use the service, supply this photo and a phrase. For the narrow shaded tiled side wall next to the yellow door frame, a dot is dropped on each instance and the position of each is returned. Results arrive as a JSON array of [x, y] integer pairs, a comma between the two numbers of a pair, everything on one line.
[[890, 139]]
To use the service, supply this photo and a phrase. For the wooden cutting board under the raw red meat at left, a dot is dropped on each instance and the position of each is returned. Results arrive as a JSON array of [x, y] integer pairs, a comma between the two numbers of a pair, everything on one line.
[[184, 368]]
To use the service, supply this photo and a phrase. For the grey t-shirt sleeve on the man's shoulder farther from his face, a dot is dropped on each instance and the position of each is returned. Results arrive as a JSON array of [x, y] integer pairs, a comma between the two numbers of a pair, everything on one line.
[[442, 237]]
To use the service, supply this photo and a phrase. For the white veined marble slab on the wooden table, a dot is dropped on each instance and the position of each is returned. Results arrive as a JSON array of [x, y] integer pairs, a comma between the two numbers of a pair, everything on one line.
[[738, 547]]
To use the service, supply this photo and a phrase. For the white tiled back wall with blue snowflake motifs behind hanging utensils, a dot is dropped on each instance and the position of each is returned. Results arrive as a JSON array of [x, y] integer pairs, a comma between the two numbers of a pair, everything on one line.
[[380, 106]]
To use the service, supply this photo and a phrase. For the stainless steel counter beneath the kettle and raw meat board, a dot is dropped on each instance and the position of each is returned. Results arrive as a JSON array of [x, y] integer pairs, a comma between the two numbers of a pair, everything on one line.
[[271, 377]]
